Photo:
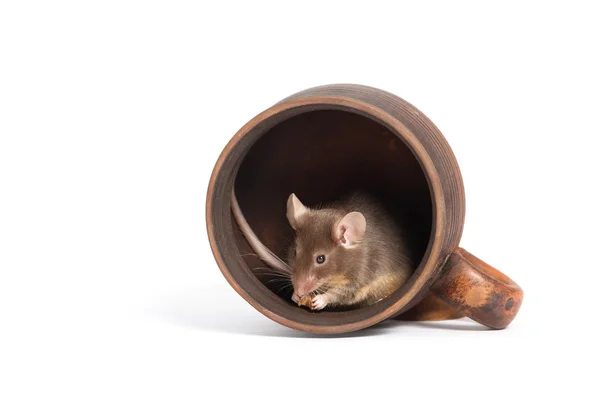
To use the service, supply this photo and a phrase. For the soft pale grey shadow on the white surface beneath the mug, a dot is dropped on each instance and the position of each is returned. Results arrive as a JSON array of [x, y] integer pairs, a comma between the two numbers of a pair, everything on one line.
[[218, 309]]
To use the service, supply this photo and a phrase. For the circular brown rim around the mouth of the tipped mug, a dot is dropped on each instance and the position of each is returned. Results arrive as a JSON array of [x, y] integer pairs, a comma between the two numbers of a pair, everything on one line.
[[423, 276]]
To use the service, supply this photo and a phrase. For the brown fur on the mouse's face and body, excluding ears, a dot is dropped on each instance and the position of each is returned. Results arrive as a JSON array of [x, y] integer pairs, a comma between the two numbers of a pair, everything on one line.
[[369, 271]]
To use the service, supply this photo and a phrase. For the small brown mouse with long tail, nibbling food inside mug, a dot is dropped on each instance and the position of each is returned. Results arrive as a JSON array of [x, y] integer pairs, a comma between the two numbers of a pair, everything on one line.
[[349, 253]]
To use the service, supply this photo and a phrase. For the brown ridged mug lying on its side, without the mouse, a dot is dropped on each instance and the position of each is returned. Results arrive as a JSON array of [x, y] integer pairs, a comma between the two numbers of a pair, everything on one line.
[[321, 143]]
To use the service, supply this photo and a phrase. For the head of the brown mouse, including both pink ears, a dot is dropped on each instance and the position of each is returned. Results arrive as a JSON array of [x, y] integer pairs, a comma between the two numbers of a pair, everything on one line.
[[328, 245]]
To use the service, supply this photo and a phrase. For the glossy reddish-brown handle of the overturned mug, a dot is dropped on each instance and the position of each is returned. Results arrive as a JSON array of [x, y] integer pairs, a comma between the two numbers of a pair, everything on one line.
[[477, 290]]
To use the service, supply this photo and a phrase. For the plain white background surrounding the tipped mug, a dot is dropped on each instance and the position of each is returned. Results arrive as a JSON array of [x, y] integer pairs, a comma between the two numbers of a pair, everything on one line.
[[113, 113]]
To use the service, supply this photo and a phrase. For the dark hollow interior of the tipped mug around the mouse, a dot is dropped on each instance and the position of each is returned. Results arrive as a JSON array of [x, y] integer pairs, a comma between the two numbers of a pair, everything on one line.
[[320, 153]]
